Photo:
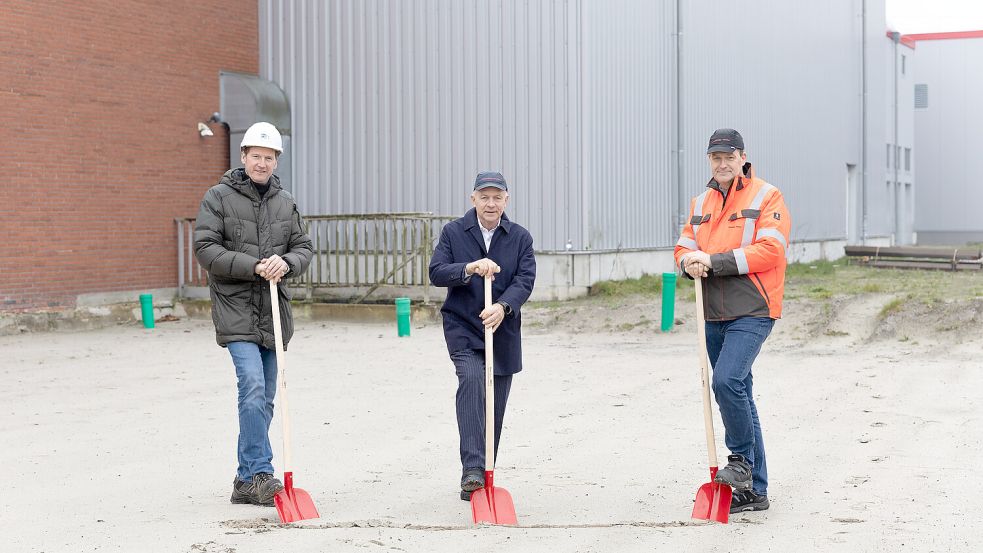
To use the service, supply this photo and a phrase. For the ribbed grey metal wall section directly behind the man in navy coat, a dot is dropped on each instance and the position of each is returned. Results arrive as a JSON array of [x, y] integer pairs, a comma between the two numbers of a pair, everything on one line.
[[396, 105]]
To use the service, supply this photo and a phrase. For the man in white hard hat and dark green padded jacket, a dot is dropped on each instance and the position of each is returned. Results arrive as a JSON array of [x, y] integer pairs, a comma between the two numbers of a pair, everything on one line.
[[249, 232]]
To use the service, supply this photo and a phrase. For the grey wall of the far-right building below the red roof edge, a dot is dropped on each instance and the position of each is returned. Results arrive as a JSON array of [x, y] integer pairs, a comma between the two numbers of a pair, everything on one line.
[[946, 141]]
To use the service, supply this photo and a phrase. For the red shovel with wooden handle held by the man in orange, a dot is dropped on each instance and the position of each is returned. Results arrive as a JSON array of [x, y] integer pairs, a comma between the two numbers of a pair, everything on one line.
[[713, 498]]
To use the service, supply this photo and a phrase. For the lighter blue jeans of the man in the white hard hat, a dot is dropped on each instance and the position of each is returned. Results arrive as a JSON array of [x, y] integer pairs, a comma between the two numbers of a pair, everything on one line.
[[256, 373]]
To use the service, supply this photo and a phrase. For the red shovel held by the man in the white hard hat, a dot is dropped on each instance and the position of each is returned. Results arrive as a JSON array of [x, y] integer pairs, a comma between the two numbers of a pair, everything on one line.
[[292, 504]]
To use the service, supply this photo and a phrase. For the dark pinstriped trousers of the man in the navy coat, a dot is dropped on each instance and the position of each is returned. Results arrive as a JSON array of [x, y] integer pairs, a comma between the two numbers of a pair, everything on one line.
[[470, 368]]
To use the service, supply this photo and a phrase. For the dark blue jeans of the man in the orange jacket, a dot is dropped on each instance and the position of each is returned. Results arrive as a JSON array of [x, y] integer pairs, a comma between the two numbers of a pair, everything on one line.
[[732, 347]]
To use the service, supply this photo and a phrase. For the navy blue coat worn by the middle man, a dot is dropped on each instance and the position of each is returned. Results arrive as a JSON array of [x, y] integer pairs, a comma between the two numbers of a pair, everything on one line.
[[511, 248]]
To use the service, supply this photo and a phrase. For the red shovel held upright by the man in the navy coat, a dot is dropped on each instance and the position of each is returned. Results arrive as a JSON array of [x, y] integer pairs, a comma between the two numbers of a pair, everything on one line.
[[490, 504]]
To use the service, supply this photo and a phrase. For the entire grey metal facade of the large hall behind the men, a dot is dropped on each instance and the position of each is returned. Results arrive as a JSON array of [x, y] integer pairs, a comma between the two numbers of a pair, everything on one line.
[[596, 111]]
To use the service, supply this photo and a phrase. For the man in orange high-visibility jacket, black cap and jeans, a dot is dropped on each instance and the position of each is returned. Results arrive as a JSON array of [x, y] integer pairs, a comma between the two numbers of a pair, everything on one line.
[[735, 240]]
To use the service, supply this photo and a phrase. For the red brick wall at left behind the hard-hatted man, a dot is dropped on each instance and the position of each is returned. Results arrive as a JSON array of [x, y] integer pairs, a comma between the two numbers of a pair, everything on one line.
[[99, 101]]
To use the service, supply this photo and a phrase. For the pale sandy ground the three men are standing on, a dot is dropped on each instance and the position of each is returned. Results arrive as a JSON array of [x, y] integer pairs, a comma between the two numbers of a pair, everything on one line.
[[123, 439]]
